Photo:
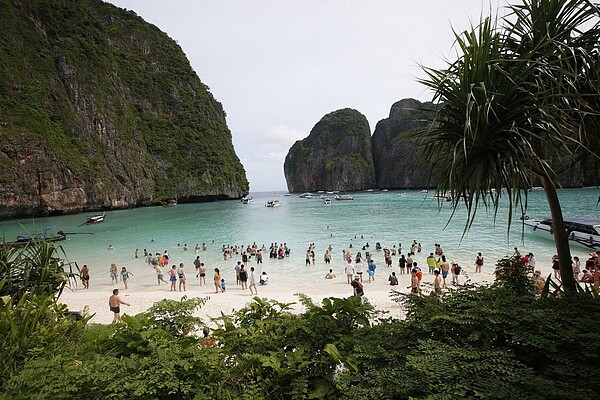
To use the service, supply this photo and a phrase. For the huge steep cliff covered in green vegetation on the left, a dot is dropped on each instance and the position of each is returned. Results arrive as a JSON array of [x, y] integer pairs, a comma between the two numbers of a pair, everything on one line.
[[101, 110]]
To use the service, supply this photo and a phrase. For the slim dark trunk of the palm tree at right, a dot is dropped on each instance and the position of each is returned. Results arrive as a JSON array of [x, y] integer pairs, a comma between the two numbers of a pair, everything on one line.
[[561, 238]]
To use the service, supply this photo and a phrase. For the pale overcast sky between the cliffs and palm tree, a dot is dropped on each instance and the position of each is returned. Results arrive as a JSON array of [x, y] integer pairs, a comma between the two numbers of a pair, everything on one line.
[[279, 66]]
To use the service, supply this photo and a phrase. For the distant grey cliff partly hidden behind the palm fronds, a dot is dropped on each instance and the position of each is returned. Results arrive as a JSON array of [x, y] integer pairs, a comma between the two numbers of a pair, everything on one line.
[[395, 155]]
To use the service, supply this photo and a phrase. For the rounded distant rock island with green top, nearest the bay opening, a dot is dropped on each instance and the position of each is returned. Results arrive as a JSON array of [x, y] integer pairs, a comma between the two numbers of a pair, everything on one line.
[[336, 155]]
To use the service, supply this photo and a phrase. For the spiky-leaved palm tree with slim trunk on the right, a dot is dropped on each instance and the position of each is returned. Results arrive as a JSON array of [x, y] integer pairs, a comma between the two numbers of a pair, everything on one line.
[[518, 103]]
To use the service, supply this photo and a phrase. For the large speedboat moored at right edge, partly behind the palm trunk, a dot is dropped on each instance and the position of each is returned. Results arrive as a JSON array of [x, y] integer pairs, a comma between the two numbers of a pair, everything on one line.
[[581, 232]]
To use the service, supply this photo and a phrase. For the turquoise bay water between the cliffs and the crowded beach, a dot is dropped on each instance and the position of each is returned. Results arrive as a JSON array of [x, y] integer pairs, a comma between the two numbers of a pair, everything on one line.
[[376, 217]]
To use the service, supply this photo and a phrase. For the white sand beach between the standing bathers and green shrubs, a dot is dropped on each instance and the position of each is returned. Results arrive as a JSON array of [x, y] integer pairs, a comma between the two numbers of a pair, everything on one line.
[[141, 295]]
